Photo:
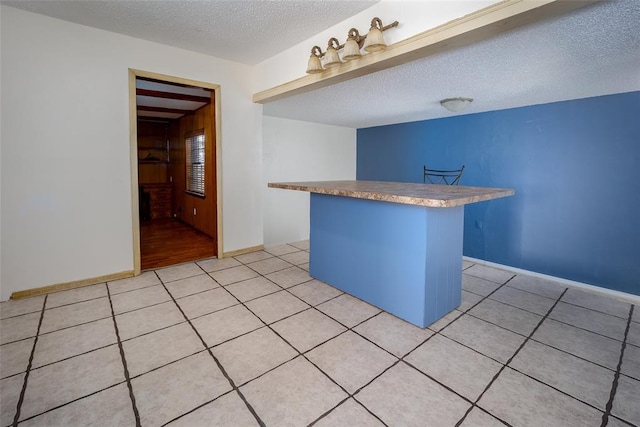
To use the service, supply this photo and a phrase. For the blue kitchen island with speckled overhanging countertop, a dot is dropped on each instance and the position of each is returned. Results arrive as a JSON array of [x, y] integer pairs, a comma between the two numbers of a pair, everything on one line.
[[395, 245]]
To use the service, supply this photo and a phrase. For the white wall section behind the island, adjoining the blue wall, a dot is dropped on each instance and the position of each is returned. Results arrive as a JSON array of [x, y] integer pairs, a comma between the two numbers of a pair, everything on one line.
[[300, 151]]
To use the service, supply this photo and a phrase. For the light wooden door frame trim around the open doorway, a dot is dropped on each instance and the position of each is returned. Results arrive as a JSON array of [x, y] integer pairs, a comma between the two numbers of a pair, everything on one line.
[[133, 145]]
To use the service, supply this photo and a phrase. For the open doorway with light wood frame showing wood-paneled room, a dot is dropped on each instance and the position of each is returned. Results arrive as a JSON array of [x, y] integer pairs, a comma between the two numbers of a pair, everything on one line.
[[175, 156]]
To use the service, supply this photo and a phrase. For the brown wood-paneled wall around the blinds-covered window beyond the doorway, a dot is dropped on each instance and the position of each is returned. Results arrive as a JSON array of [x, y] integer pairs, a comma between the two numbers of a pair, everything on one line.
[[199, 212]]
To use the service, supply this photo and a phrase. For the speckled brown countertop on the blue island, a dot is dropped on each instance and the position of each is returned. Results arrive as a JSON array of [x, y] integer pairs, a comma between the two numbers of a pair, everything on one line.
[[429, 195]]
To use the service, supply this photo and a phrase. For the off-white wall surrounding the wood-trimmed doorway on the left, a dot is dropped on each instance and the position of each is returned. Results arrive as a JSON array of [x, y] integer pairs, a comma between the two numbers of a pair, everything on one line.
[[65, 176]]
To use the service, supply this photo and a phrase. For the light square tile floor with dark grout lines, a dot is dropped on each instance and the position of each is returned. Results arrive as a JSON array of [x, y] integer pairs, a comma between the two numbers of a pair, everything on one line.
[[253, 340]]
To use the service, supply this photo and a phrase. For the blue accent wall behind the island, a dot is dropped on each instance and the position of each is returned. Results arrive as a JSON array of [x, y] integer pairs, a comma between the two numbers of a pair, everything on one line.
[[575, 166]]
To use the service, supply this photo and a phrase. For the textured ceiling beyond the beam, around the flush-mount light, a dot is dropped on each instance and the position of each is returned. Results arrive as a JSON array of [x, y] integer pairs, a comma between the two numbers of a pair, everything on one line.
[[592, 51]]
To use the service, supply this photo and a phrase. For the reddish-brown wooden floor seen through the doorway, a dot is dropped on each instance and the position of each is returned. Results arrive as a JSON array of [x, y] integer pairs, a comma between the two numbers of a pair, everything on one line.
[[167, 242]]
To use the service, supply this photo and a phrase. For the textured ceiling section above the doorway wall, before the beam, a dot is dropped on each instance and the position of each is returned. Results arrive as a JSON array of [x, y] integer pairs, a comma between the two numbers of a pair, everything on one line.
[[246, 31]]
